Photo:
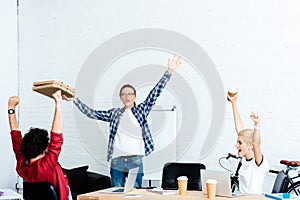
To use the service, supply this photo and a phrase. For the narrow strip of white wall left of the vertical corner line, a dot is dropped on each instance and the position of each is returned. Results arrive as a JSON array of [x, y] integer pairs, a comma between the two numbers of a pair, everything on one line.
[[9, 86]]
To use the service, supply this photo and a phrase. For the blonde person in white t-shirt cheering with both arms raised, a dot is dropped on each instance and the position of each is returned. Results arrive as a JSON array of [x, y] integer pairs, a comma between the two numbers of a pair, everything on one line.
[[254, 166]]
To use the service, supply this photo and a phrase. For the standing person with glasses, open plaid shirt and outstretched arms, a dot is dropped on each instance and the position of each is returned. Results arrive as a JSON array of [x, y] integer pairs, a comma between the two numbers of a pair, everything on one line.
[[129, 135]]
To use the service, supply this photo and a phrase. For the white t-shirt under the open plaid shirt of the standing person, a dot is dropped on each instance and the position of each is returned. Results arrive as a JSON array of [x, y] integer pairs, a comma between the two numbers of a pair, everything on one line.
[[128, 139]]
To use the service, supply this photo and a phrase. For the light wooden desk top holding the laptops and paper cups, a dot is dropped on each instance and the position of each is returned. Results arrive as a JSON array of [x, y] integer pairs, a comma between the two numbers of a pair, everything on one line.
[[149, 195]]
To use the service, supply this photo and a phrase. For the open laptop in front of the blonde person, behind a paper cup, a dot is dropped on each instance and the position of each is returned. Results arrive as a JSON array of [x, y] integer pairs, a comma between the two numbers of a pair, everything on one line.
[[223, 182]]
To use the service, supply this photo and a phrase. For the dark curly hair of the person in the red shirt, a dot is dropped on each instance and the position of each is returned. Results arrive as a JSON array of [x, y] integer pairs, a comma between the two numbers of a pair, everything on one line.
[[34, 143]]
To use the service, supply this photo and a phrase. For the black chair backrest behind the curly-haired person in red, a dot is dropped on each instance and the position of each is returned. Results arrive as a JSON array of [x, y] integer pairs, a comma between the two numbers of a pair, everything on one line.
[[39, 190]]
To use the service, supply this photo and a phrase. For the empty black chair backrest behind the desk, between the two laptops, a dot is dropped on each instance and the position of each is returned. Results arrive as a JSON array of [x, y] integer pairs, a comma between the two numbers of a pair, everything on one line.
[[172, 170]]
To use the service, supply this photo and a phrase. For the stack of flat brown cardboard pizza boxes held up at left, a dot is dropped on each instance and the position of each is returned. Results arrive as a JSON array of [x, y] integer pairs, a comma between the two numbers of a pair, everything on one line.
[[49, 87]]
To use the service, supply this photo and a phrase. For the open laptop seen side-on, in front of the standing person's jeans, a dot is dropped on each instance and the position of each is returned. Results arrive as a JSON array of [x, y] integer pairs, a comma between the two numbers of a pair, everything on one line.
[[129, 184]]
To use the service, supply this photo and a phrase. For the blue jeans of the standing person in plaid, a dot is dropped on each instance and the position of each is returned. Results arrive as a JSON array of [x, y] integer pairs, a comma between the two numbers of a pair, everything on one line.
[[120, 166]]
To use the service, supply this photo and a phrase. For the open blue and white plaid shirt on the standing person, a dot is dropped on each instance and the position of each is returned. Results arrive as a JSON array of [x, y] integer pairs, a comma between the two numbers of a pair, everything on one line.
[[140, 111]]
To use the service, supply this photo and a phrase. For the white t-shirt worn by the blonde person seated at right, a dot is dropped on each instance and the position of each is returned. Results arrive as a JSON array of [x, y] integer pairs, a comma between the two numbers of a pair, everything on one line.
[[251, 176]]
